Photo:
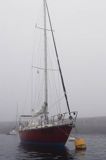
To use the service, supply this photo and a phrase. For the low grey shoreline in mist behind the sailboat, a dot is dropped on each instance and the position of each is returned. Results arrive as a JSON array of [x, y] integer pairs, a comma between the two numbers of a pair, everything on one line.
[[96, 125]]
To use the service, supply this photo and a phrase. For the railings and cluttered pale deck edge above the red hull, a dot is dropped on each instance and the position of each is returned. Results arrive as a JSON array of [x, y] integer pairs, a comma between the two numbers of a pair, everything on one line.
[[28, 121]]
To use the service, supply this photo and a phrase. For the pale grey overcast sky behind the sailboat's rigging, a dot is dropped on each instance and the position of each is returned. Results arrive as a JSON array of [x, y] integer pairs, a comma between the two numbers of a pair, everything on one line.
[[80, 31]]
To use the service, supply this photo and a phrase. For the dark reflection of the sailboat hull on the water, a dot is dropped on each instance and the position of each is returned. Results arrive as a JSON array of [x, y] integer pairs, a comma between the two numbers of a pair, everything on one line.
[[46, 153]]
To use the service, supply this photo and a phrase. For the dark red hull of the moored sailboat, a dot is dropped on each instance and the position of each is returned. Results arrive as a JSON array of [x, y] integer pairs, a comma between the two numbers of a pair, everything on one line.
[[48, 135]]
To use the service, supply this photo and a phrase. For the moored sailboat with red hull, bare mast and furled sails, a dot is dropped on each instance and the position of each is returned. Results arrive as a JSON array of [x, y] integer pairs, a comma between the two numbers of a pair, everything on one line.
[[40, 128]]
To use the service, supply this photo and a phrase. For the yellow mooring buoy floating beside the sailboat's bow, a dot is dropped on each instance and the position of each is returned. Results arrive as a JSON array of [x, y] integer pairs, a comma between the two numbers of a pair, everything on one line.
[[80, 144]]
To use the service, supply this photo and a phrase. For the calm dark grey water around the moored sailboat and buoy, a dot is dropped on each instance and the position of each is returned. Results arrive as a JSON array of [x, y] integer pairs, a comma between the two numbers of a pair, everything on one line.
[[11, 149]]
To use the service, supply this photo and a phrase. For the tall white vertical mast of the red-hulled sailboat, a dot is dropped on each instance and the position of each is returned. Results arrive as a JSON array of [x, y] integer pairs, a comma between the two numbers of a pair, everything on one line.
[[45, 59]]
